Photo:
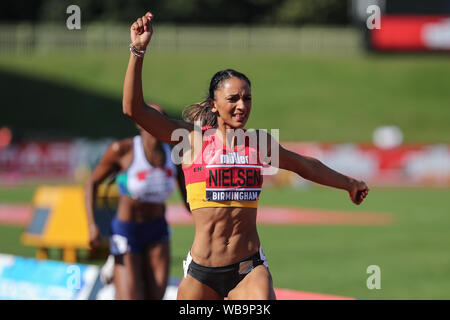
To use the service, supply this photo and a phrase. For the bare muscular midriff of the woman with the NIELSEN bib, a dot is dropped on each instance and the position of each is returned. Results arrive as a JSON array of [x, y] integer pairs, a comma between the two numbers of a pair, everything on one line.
[[224, 235]]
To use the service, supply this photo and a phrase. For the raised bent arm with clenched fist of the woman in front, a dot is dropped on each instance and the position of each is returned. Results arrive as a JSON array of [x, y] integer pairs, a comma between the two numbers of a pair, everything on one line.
[[133, 103]]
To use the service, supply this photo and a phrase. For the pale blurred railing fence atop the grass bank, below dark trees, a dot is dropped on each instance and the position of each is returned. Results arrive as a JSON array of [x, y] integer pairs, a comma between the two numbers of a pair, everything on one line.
[[29, 39]]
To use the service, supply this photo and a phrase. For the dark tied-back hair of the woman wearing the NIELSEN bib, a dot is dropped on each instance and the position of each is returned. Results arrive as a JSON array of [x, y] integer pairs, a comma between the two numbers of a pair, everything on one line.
[[202, 111]]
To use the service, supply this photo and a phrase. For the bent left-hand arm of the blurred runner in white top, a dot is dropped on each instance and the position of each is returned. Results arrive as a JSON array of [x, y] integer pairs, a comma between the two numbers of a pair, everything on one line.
[[107, 165]]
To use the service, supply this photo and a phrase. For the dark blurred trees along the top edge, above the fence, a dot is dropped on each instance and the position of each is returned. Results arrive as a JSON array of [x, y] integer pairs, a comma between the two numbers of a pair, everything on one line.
[[279, 12]]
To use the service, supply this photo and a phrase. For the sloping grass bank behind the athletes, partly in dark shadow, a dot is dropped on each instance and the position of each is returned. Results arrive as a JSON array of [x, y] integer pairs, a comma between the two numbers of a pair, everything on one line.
[[322, 98]]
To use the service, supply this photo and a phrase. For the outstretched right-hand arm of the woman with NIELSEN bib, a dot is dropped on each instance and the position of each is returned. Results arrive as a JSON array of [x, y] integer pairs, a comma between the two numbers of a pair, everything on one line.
[[314, 170]]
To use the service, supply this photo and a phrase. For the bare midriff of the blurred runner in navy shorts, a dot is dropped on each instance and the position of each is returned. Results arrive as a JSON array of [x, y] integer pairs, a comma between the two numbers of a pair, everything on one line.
[[131, 210]]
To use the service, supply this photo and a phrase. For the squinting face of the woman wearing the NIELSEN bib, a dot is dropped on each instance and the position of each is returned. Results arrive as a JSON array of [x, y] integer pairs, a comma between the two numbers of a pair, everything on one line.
[[233, 102]]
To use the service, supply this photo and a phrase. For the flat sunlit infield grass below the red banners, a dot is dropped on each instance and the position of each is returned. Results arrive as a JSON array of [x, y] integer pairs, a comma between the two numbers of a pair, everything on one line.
[[412, 252]]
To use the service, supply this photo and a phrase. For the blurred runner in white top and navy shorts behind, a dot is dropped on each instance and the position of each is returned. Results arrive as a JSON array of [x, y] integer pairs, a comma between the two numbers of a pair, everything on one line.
[[139, 241]]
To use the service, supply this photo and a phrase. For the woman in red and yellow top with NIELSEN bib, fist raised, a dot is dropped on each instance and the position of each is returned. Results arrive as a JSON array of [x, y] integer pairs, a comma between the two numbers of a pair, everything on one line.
[[223, 178]]
